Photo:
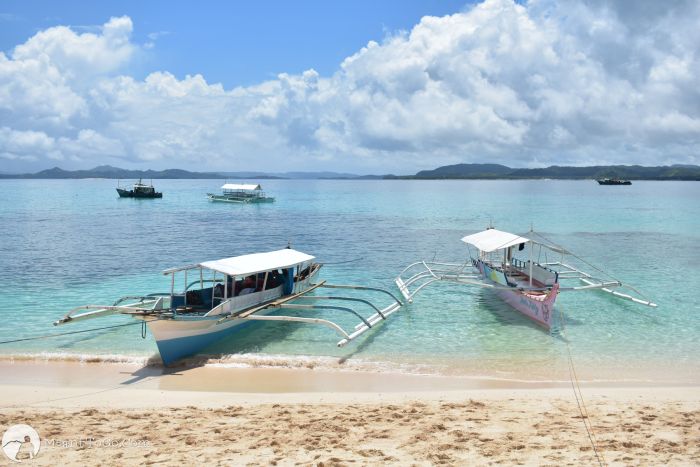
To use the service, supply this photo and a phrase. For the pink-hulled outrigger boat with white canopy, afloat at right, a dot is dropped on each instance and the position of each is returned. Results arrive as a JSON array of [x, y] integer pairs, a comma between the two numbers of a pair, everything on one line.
[[530, 286]]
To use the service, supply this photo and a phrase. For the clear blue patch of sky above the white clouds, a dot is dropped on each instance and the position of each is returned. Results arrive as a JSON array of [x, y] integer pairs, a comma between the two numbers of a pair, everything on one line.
[[231, 42]]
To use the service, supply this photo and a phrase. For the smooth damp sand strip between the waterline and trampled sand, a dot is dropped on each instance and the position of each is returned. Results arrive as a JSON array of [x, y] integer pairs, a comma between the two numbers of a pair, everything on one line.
[[39, 383]]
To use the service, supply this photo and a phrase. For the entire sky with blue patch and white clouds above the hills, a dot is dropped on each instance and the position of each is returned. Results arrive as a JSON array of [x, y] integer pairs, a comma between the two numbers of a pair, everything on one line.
[[362, 87]]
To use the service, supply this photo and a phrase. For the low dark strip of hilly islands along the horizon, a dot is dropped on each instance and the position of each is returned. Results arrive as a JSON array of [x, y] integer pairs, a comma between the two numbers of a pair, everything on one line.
[[457, 171]]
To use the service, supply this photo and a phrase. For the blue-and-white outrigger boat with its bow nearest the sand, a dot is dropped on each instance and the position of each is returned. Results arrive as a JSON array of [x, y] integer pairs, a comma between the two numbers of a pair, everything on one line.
[[240, 289]]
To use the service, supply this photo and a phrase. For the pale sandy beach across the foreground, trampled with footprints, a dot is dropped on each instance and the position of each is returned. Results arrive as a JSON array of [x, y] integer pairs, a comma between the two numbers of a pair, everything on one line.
[[148, 422]]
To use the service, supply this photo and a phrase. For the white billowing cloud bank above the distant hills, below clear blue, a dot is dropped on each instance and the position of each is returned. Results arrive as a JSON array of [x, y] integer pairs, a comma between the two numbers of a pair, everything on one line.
[[566, 83]]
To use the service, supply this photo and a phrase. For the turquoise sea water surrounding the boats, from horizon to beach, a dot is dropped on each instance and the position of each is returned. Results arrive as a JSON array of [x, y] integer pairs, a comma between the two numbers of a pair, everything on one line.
[[66, 243]]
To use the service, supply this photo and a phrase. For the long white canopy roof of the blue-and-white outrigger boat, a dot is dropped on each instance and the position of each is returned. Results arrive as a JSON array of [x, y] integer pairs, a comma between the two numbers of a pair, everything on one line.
[[257, 262]]
